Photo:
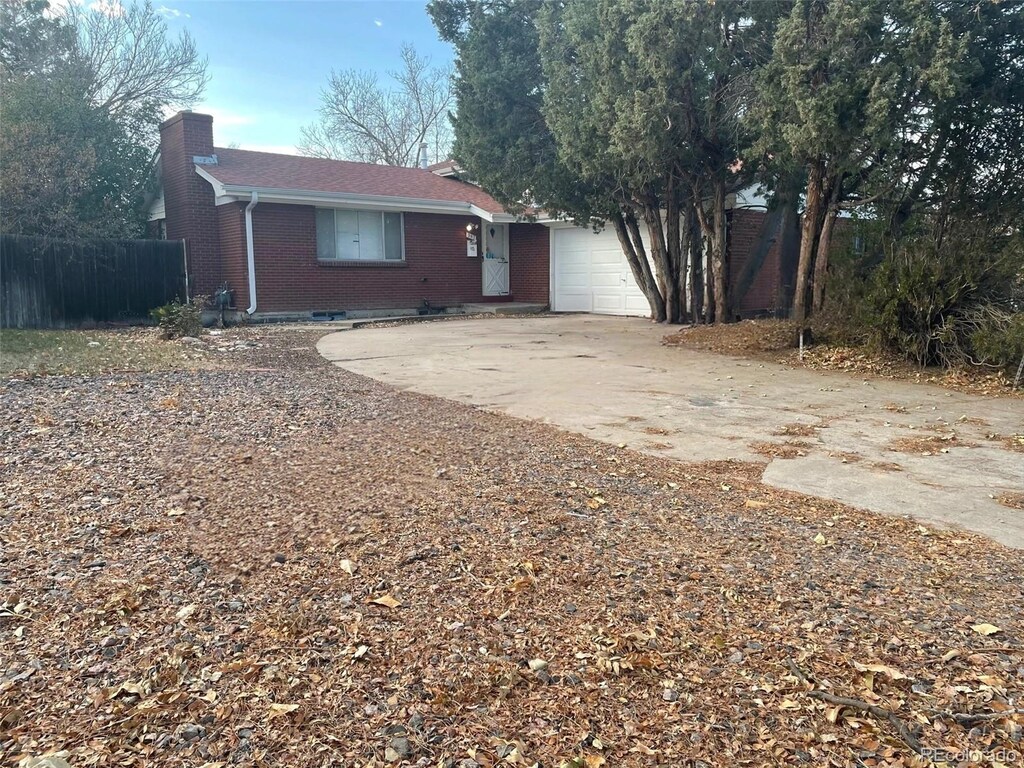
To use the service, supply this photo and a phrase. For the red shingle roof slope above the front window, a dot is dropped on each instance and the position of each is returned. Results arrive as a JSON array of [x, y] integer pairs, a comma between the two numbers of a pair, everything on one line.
[[263, 169]]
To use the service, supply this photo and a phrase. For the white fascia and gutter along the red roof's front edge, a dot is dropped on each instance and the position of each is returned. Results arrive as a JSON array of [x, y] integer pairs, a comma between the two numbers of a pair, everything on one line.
[[234, 193]]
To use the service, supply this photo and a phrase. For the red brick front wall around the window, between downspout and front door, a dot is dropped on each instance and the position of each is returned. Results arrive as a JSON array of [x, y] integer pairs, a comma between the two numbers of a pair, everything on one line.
[[289, 278]]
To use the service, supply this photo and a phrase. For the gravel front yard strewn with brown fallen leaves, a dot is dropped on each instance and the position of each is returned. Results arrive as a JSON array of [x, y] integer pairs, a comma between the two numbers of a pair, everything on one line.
[[279, 563]]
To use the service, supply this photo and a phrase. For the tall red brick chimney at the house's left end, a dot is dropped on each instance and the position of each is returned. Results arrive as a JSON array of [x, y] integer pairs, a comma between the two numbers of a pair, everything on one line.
[[189, 199]]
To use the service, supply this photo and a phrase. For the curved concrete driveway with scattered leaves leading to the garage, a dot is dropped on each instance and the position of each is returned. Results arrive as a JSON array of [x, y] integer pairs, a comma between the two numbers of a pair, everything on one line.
[[611, 379]]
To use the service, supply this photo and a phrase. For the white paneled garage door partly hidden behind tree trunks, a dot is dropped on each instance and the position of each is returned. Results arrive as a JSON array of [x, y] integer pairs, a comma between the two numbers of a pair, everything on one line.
[[591, 275]]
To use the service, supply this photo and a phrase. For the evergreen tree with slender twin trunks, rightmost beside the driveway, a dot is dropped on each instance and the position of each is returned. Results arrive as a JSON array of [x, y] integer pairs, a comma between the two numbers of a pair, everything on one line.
[[835, 99]]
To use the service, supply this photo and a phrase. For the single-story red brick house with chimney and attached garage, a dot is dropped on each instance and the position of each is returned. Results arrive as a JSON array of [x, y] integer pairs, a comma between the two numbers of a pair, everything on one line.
[[302, 237]]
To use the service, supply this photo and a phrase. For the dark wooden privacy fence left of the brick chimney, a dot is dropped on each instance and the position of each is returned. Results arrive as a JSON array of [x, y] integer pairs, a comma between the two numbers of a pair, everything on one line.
[[48, 283]]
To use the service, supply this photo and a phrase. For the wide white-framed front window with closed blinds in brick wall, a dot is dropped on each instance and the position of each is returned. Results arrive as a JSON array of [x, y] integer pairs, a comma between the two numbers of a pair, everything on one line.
[[360, 236]]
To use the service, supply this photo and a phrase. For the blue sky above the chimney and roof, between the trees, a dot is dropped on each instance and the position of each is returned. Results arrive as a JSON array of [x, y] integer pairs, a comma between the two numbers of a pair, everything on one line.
[[270, 59]]
